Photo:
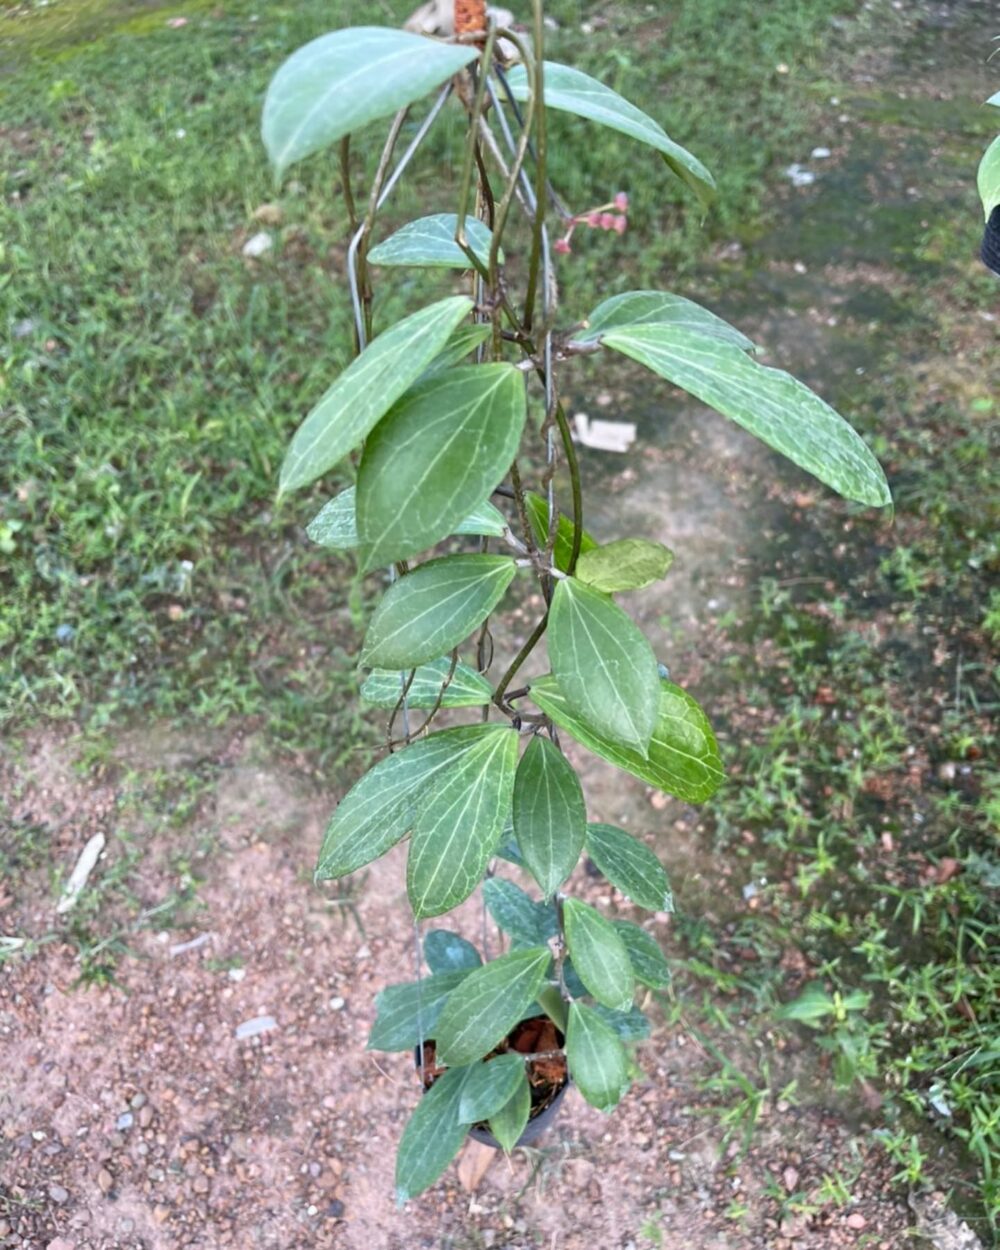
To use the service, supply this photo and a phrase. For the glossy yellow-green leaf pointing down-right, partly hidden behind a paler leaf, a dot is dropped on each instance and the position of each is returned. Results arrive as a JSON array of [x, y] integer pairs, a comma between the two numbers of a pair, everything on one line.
[[683, 753]]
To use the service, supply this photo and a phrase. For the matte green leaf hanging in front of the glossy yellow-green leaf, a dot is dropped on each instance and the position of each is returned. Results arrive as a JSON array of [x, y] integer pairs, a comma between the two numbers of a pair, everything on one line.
[[604, 664]]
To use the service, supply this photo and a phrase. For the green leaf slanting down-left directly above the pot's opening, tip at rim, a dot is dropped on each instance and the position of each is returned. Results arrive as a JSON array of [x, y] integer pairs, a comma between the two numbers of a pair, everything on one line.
[[488, 1004]]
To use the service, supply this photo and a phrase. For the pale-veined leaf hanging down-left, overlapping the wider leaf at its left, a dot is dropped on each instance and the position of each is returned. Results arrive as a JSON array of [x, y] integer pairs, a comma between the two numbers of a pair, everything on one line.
[[461, 823]]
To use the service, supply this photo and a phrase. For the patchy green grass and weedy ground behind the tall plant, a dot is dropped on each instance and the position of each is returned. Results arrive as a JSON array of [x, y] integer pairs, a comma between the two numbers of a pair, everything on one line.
[[152, 376]]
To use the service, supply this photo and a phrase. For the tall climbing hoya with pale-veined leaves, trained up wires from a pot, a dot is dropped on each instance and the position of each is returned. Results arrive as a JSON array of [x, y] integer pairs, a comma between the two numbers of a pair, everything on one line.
[[451, 427]]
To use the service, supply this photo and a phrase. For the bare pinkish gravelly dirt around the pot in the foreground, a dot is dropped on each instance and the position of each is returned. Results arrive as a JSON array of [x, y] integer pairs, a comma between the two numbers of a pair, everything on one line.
[[134, 1117]]
